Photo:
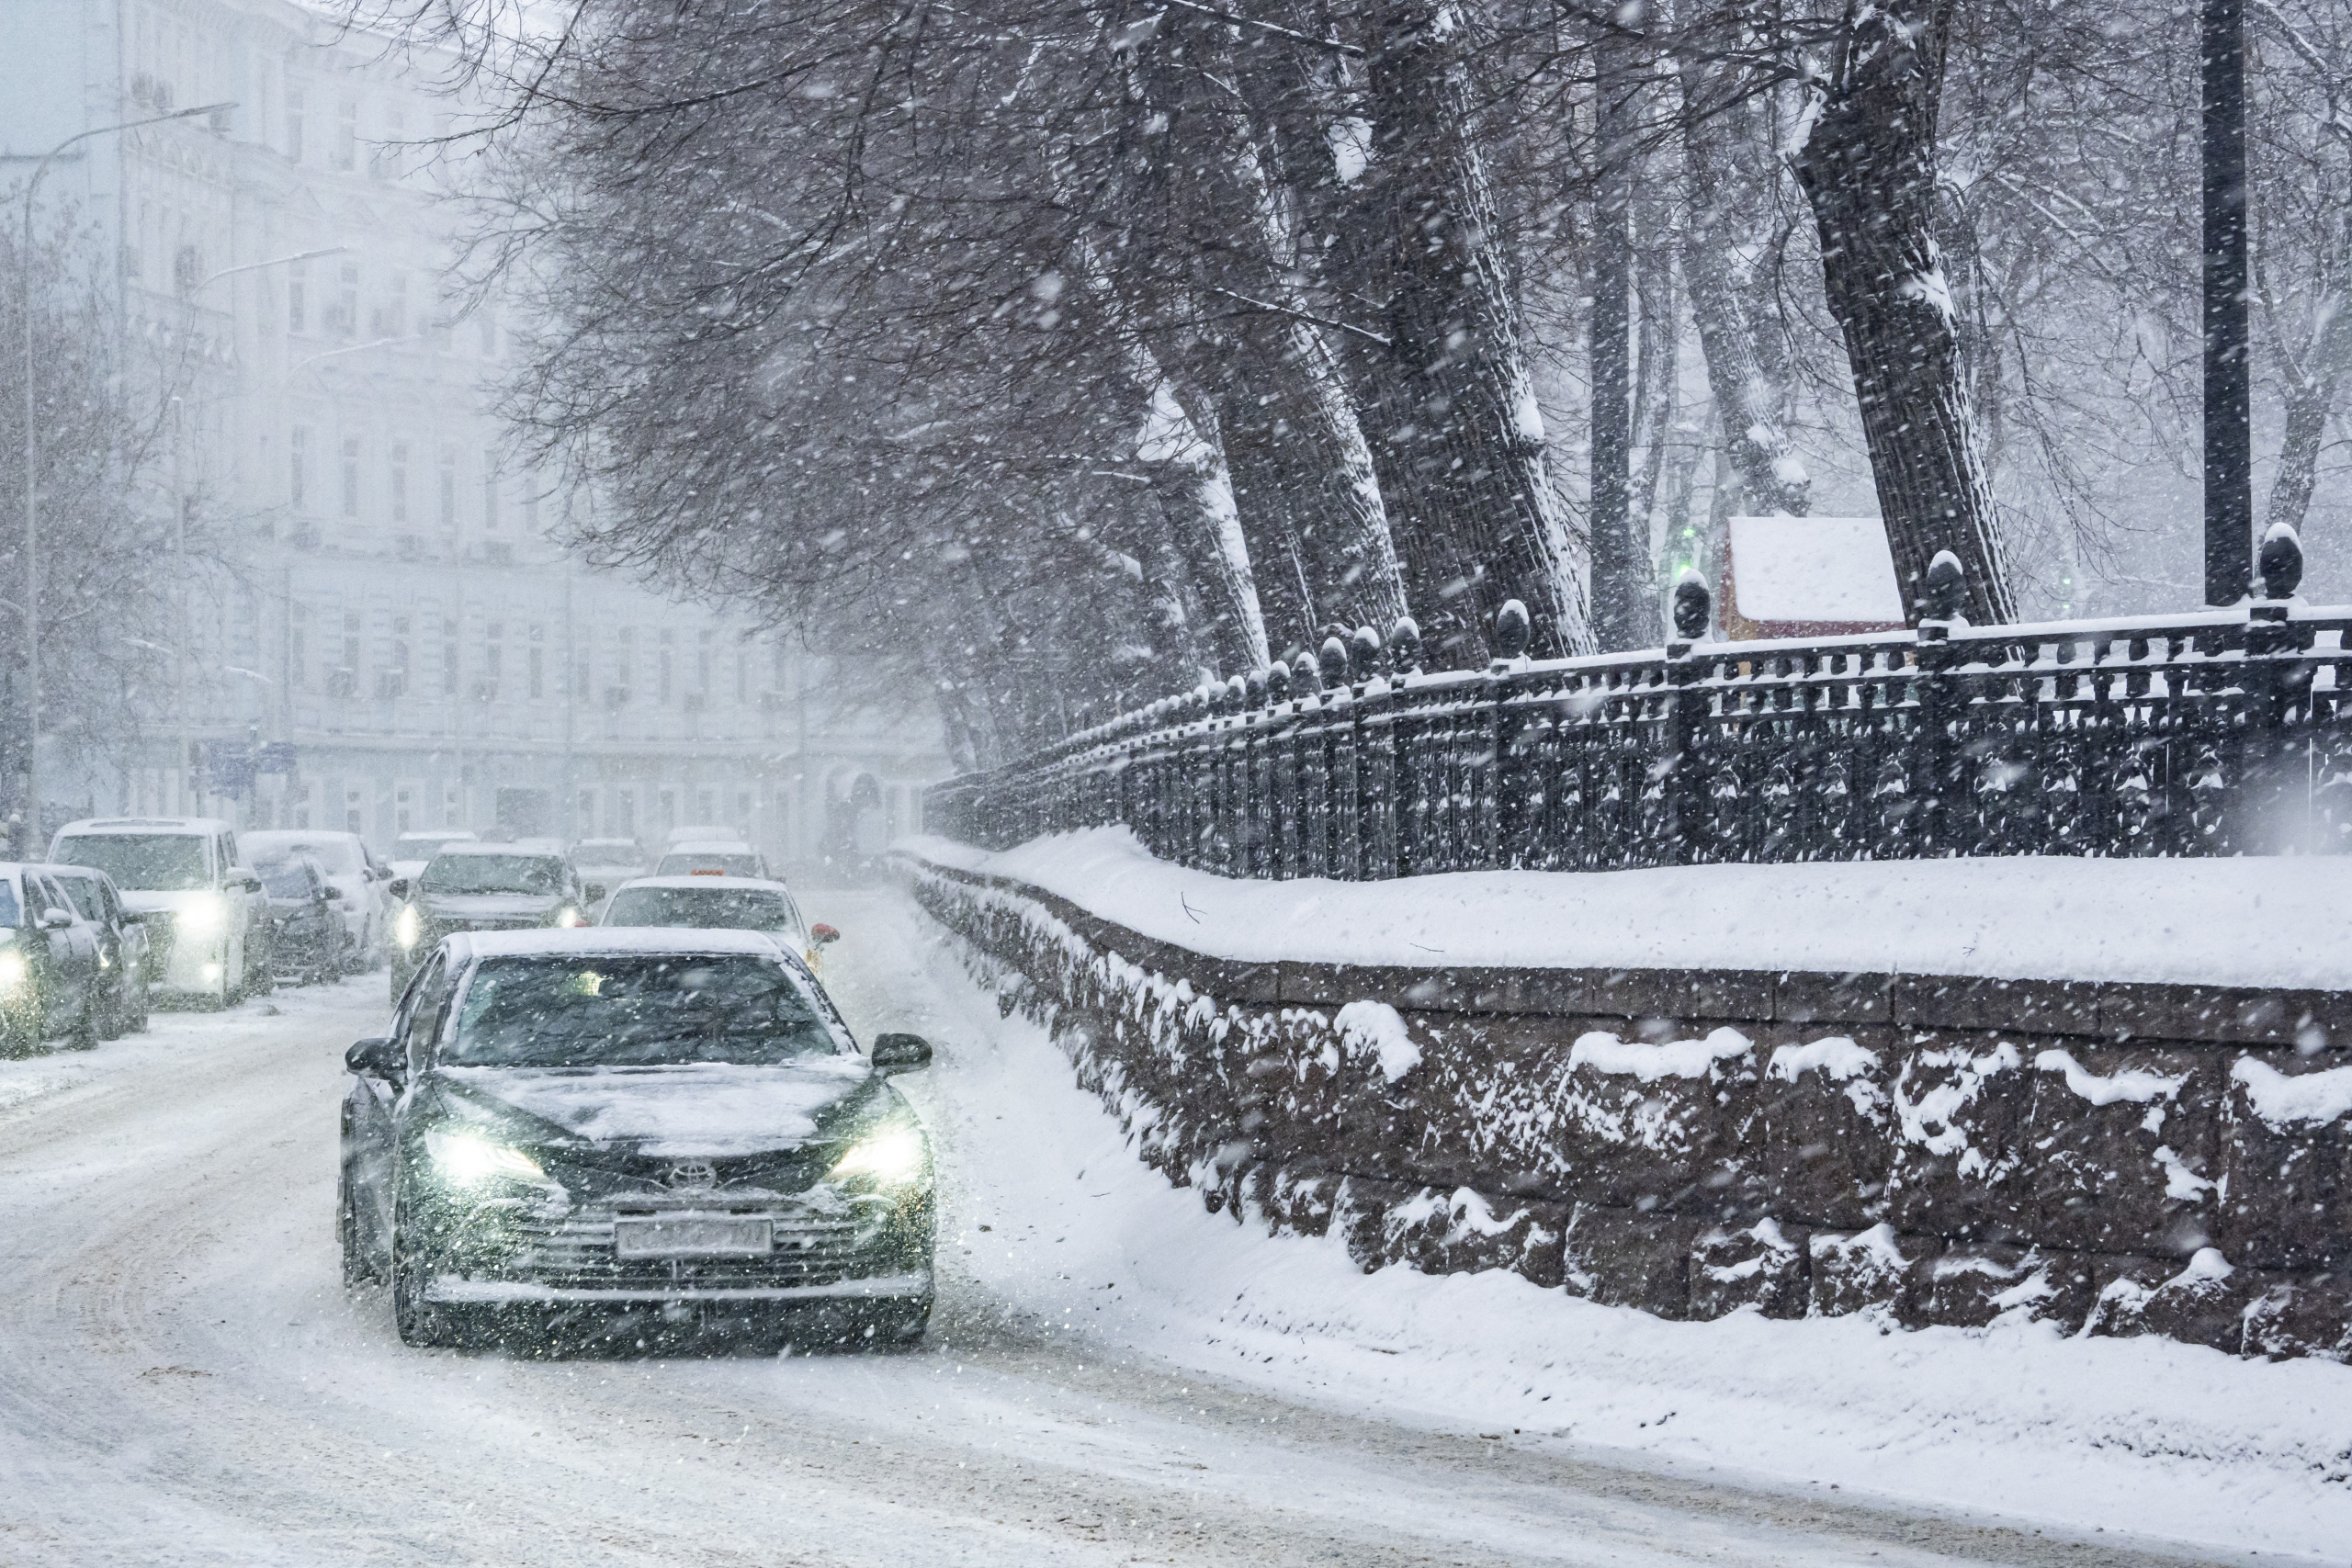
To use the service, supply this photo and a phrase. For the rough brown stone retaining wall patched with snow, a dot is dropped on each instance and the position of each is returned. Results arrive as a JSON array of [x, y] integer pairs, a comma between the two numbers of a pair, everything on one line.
[[1930, 1151]]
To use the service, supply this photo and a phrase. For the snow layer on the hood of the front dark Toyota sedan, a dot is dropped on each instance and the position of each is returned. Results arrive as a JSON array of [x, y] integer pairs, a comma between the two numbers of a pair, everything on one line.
[[707, 1108]]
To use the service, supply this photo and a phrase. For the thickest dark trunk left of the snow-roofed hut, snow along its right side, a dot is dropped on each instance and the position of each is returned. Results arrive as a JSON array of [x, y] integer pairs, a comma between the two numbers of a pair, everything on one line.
[[1478, 521]]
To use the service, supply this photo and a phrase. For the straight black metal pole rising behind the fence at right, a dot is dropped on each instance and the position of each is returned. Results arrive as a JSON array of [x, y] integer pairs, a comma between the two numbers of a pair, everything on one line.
[[2229, 460]]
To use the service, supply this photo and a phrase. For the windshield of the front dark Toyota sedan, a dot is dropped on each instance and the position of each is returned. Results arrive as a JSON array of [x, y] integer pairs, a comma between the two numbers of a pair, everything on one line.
[[639, 1012]]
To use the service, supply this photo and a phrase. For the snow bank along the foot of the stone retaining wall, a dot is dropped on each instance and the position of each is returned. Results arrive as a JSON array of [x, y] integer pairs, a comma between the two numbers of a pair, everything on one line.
[[2144, 1438]]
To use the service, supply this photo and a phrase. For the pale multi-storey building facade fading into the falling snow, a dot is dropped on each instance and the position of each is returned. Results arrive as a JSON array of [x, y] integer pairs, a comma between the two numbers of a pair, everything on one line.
[[377, 631]]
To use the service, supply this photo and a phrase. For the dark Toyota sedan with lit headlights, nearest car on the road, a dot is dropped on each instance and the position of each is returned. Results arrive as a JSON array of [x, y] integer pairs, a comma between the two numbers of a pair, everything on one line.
[[610, 1130]]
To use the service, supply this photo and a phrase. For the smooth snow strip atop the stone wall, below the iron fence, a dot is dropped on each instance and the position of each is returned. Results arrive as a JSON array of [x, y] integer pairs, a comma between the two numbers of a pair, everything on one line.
[[2280, 923]]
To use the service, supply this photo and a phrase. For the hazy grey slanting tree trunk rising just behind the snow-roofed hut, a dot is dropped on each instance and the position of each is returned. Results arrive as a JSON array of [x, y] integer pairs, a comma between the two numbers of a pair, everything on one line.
[[1770, 476]]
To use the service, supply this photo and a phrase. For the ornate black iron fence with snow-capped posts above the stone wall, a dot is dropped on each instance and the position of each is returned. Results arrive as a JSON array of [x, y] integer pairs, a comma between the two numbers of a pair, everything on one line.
[[2200, 735]]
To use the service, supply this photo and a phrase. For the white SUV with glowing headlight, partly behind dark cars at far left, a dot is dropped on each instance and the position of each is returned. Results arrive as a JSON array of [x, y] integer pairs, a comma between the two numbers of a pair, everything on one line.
[[213, 942]]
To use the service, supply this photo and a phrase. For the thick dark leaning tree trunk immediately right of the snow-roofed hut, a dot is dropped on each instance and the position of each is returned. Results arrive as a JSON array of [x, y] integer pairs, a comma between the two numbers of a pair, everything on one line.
[[1869, 173]]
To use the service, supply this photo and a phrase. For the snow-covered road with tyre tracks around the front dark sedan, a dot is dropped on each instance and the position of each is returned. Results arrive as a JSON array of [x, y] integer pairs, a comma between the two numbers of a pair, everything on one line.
[[182, 1379]]
